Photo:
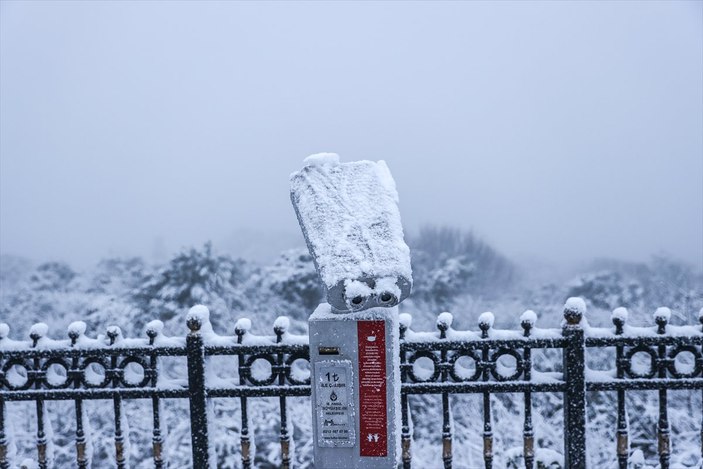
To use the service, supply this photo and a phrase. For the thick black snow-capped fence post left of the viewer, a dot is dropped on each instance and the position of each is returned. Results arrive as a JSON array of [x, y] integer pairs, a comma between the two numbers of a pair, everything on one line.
[[195, 349]]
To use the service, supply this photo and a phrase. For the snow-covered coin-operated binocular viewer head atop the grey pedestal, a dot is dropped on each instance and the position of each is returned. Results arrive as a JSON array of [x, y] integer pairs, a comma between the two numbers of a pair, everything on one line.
[[349, 215]]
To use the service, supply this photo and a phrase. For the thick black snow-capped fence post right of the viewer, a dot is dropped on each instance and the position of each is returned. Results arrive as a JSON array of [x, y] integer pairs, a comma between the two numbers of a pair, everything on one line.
[[574, 376]]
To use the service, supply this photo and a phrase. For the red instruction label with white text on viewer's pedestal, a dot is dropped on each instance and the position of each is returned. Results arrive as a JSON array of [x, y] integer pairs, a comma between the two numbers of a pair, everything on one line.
[[373, 411]]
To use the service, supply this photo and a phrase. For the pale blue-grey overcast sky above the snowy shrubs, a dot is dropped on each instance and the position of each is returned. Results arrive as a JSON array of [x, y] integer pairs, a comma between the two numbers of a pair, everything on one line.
[[559, 131]]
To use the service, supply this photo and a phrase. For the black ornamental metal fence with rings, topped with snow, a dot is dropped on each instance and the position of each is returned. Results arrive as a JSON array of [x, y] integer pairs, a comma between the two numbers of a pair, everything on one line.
[[444, 362]]
